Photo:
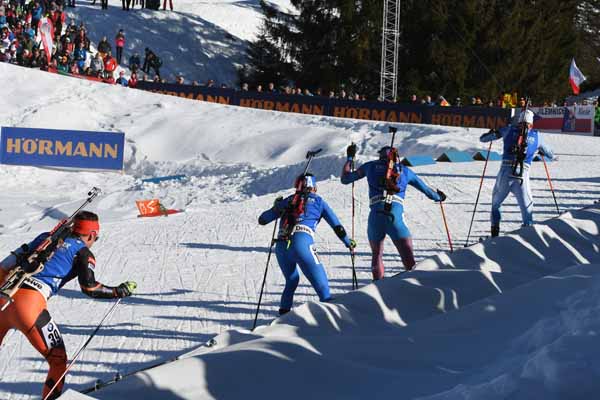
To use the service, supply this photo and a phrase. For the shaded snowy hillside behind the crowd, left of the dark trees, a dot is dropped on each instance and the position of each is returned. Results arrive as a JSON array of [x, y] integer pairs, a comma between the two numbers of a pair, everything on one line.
[[201, 40]]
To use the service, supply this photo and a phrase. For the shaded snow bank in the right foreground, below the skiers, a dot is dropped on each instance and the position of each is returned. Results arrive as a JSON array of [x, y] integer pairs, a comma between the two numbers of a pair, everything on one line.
[[474, 324]]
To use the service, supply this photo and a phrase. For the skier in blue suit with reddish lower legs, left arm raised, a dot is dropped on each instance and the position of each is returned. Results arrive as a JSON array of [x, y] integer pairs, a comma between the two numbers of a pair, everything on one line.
[[382, 223]]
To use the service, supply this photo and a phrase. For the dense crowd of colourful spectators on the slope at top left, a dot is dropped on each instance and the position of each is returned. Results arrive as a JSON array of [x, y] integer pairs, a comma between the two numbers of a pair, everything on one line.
[[72, 51]]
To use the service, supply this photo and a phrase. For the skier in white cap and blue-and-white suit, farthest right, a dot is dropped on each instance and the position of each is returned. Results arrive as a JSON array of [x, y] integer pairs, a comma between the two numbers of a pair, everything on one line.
[[505, 181]]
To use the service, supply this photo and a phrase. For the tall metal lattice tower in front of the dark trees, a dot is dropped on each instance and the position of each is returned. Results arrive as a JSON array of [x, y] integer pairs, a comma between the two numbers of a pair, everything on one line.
[[388, 87]]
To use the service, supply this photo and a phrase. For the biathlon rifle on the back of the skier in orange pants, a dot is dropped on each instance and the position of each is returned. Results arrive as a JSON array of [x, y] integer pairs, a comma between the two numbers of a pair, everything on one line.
[[31, 263]]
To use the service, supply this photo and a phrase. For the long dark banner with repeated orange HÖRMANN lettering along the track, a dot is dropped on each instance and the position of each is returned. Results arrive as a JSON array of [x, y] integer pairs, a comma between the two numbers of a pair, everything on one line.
[[476, 117]]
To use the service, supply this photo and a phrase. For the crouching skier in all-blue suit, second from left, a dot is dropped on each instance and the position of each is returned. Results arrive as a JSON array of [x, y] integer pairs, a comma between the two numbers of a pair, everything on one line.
[[295, 242]]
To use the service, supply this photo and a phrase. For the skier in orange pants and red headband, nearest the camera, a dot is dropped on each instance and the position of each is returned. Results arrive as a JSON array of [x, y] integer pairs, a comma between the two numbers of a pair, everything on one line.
[[25, 307]]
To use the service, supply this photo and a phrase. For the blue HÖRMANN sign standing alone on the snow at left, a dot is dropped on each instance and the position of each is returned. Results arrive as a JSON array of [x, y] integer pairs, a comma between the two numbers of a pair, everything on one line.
[[61, 148]]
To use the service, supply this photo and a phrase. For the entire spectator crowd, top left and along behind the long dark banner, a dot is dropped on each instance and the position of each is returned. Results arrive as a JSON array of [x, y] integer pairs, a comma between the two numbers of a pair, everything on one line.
[[73, 53]]
